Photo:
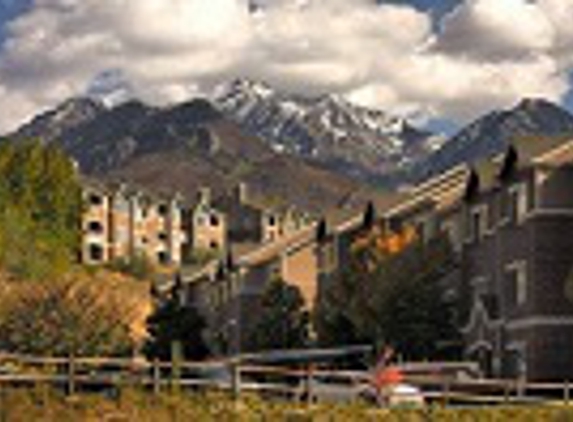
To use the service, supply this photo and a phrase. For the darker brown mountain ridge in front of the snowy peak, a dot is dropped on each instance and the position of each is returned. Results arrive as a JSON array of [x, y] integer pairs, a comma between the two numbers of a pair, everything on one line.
[[184, 147]]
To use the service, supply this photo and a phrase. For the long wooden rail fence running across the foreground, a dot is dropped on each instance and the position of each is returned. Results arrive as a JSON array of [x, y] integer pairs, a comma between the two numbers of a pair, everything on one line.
[[94, 374]]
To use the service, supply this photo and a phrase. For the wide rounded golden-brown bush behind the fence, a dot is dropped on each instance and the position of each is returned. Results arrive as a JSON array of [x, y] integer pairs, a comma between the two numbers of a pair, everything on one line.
[[62, 319]]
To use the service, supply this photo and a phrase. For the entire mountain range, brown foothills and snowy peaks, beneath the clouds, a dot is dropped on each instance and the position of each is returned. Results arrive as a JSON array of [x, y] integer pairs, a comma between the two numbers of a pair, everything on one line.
[[314, 152]]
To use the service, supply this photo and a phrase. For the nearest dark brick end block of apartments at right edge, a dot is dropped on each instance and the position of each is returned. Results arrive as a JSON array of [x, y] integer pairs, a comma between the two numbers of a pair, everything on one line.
[[516, 255]]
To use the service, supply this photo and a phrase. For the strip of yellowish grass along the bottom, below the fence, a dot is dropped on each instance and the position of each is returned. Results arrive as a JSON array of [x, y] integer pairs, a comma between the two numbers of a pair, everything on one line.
[[45, 405]]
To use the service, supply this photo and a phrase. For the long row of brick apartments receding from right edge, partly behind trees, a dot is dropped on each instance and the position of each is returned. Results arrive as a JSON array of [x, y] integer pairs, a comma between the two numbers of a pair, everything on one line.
[[510, 220]]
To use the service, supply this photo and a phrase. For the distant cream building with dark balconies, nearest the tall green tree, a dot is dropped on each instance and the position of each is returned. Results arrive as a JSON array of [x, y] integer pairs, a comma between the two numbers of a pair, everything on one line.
[[118, 222]]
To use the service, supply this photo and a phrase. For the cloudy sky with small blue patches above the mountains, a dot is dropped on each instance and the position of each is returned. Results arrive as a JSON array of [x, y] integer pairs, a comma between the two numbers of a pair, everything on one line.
[[429, 60]]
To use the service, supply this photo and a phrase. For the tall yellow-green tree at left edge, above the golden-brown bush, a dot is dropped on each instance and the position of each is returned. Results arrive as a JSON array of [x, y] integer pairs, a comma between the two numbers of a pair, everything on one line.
[[40, 206]]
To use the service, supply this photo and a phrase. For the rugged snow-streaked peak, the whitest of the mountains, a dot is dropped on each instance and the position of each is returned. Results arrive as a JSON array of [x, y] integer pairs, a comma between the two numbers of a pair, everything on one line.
[[363, 143]]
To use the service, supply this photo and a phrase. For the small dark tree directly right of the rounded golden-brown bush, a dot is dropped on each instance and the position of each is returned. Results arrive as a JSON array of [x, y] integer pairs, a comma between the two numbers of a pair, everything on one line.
[[173, 322]]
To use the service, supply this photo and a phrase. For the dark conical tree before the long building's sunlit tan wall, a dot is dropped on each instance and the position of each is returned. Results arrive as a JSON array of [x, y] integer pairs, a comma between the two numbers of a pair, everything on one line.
[[283, 323]]
